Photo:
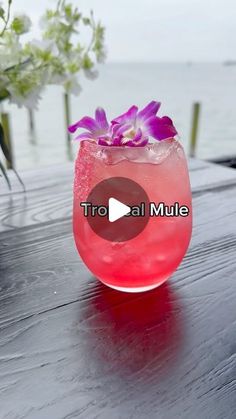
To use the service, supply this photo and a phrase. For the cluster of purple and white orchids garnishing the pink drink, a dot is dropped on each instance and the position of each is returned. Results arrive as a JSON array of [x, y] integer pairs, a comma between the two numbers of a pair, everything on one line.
[[132, 128]]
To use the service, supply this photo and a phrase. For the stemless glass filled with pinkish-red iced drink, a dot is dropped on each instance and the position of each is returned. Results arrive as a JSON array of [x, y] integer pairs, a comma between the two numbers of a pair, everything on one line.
[[147, 260]]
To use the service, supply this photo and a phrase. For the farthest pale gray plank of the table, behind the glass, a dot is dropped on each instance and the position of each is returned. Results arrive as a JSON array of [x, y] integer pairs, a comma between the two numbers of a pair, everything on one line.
[[49, 194]]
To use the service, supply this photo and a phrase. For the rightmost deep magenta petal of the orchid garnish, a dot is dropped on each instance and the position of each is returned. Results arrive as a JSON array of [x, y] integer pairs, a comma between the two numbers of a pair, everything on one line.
[[160, 128]]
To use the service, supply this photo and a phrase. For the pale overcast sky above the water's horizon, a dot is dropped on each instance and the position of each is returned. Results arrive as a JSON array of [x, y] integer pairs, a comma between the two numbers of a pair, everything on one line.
[[158, 30]]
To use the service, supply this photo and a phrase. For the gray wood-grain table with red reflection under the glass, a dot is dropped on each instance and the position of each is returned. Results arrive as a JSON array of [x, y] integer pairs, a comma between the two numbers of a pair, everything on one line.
[[72, 348]]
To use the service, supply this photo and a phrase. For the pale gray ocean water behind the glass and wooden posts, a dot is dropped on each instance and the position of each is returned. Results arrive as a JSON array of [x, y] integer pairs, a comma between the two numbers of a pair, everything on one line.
[[118, 86]]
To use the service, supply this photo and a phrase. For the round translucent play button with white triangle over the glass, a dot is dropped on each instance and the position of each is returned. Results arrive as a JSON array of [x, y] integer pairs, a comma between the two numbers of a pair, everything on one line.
[[117, 195]]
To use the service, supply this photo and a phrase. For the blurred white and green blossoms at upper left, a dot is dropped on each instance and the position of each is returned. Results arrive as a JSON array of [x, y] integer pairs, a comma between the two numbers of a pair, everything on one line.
[[58, 57]]
